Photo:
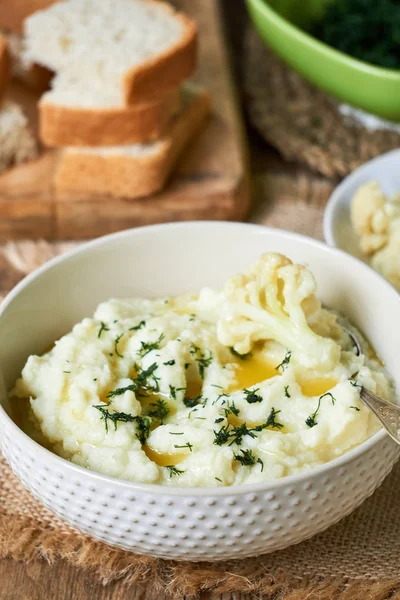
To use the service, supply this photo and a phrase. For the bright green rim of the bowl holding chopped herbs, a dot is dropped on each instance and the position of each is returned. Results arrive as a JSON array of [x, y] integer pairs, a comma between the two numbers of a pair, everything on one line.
[[305, 37]]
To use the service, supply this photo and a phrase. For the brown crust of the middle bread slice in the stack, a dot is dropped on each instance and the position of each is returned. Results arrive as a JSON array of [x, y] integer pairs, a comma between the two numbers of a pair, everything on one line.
[[70, 126]]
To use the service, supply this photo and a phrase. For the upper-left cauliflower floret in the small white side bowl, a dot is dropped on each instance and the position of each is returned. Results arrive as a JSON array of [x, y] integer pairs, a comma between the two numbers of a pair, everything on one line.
[[369, 217]]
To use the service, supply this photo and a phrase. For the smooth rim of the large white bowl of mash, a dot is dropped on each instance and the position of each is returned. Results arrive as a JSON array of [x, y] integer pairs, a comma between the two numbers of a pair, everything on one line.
[[235, 490]]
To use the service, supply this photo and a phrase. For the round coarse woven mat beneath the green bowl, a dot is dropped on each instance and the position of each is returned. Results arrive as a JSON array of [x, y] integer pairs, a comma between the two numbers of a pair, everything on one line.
[[304, 124]]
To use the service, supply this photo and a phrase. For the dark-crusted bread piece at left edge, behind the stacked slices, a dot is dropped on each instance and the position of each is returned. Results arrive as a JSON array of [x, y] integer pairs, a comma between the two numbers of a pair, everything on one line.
[[34, 76]]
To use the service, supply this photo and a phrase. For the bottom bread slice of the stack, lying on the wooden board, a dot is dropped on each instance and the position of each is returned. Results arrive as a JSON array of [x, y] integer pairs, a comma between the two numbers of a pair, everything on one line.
[[130, 171]]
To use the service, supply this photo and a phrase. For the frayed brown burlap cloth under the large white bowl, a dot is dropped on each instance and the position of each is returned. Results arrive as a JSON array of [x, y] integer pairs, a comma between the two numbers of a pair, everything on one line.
[[357, 559]]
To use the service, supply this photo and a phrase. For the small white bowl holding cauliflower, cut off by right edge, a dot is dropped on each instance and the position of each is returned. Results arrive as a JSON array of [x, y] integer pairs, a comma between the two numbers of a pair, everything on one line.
[[338, 231]]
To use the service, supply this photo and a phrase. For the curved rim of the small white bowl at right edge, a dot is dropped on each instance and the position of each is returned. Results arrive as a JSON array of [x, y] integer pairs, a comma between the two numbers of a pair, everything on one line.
[[336, 196]]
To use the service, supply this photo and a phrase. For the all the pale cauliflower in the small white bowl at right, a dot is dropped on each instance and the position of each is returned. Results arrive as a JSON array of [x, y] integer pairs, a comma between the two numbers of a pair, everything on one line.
[[376, 219]]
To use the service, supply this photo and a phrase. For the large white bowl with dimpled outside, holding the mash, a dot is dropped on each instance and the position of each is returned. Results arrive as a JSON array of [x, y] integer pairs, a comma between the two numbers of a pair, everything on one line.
[[190, 523]]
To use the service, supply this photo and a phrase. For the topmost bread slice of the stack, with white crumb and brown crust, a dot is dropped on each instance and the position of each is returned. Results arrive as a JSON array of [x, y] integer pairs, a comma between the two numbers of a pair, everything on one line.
[[138, 49]]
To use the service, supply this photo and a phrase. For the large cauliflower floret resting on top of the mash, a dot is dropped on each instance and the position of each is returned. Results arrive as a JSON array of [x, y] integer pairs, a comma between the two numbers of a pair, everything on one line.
[[271, 302]]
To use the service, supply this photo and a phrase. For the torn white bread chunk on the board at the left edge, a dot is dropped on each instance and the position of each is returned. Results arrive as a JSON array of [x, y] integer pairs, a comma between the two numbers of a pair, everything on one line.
[[17, 143]]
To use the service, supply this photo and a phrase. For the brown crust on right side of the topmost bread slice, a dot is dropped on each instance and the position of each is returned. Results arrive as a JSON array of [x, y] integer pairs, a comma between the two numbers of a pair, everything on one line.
[[155, 76]]
